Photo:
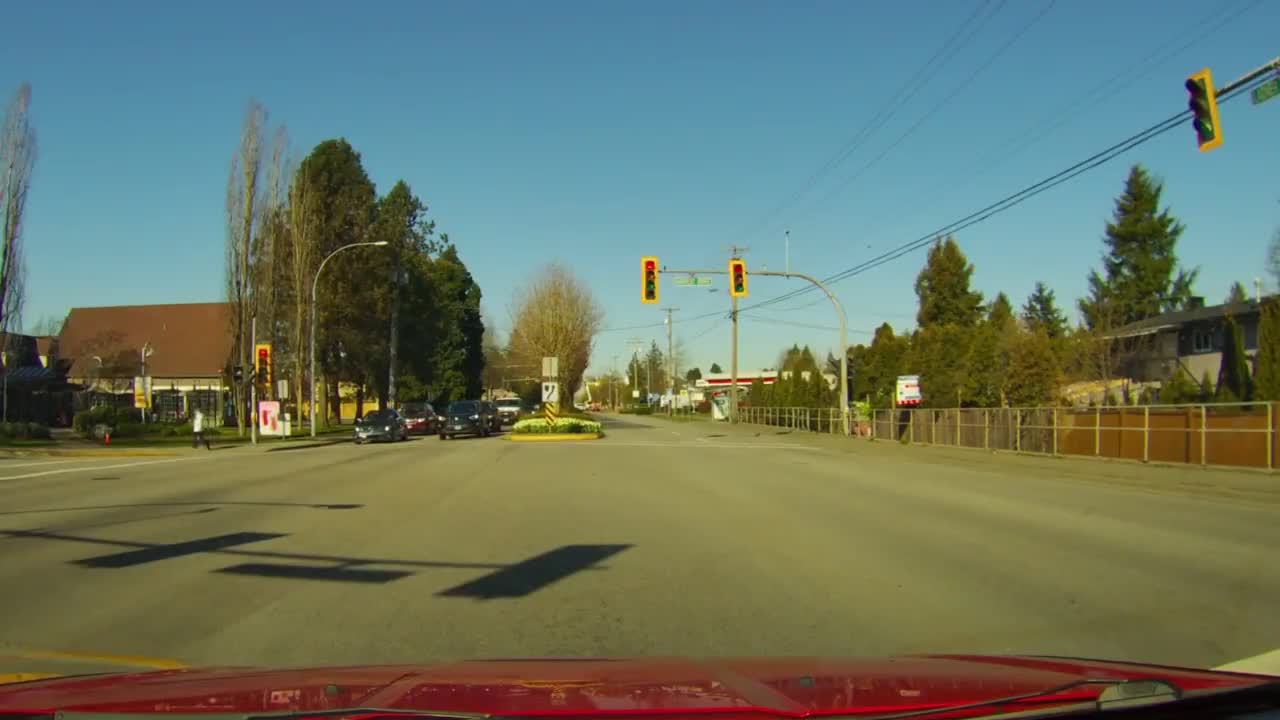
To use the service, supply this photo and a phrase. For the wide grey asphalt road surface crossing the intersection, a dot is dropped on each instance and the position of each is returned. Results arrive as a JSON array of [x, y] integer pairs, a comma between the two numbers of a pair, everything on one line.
[[664, 539]]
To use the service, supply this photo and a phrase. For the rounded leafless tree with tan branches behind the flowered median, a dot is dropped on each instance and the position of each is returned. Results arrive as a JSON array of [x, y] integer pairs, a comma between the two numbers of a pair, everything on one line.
[[556, 316]]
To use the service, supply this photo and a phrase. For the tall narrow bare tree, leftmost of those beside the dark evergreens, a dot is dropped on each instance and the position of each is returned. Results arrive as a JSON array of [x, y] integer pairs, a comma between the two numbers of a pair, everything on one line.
[[243, 189]]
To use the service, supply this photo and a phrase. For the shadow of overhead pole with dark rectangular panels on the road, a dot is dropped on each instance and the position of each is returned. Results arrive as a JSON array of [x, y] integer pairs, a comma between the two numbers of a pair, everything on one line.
[[505, 581]]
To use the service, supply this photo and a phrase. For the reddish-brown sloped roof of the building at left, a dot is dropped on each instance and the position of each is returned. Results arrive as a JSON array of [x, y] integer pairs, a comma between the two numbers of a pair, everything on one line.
[[189, 340]]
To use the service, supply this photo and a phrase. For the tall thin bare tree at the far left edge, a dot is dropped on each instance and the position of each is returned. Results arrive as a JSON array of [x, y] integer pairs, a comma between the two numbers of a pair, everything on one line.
[[17, 162]]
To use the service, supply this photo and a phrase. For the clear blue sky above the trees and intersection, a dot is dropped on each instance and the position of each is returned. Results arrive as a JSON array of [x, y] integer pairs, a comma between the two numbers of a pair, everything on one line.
[[598, 133]]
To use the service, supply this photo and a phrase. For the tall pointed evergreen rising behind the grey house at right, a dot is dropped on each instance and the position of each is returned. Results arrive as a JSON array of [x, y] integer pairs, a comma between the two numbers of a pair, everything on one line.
[[1141, 277]]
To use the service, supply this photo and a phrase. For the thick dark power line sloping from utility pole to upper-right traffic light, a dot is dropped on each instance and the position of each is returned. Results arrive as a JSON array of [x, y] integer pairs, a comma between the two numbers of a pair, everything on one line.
[[1008, 203]]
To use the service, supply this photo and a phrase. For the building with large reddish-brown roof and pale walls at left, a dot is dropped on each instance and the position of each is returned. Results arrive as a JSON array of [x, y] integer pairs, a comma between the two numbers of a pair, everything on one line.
[[181, 349]]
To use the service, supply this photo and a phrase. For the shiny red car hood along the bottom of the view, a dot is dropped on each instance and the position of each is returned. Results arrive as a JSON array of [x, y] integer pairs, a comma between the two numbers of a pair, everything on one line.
[[746, 687]]
